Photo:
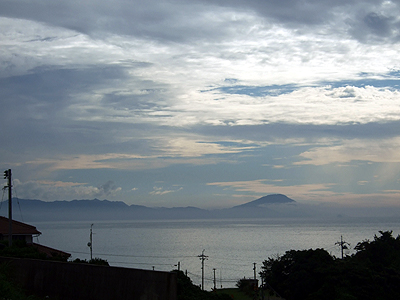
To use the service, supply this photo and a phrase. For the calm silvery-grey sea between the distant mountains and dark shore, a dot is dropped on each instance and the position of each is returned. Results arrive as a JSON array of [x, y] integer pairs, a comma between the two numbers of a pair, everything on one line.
[[232, 246]]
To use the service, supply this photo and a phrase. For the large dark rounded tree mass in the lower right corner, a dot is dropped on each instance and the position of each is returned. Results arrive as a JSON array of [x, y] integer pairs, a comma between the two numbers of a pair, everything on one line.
[[372, 273]]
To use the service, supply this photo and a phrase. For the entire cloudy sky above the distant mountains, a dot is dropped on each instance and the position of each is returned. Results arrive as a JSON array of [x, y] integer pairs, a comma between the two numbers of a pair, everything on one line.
[[201, 103]]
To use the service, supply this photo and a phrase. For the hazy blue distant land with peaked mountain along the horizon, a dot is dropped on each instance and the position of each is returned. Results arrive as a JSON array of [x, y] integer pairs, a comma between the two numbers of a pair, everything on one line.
[[270, 206]]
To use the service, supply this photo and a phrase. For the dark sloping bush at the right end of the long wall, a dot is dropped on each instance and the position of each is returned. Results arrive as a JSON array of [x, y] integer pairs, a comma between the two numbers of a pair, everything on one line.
[[188, 291]]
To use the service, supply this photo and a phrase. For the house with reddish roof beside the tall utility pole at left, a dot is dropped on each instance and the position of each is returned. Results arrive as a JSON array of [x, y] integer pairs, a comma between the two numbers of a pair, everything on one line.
[[25, 232]]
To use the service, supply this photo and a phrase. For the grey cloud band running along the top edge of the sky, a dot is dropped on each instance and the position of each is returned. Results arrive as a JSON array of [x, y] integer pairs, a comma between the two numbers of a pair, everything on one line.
[[190, 20]]
